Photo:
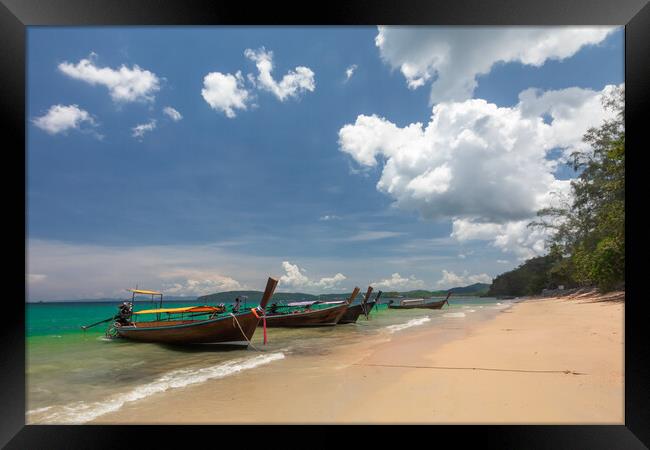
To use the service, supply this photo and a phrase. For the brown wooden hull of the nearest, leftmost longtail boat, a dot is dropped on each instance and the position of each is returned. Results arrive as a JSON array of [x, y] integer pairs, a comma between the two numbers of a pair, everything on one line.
[[223, 330]]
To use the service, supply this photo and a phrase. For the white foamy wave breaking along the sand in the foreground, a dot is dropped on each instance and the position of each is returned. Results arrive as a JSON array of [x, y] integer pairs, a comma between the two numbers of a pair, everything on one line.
[[81, 412]]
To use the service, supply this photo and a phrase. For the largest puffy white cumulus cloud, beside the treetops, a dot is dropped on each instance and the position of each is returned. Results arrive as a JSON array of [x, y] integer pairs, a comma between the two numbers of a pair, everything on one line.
[[485, 167]]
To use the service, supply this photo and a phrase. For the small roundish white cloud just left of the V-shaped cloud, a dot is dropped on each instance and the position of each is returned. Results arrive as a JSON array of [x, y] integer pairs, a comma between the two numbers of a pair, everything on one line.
[[225, 92]]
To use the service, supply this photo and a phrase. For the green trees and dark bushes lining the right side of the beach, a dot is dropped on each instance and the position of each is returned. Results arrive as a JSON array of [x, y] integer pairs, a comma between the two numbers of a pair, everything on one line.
[[587, 238]]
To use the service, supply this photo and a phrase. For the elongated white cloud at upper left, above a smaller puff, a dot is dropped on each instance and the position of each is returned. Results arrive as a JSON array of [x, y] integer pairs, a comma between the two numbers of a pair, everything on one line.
[[124, 84]]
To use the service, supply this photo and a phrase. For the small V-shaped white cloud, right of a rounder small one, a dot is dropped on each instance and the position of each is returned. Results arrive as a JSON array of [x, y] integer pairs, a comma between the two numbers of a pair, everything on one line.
[[293, 84]]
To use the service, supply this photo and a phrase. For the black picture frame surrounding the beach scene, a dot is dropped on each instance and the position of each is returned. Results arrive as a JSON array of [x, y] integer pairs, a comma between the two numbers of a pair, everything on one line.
[[16, 15]]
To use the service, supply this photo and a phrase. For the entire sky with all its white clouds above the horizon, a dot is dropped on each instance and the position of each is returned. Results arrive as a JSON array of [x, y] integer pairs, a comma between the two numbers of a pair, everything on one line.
[[202, 159]]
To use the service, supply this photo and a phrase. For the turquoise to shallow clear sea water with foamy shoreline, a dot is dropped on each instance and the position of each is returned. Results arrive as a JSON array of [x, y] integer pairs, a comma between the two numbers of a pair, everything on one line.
[[74, 376]]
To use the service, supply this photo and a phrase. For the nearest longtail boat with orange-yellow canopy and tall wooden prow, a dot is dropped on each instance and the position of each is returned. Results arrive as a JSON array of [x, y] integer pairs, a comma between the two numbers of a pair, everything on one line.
[[189, 325]]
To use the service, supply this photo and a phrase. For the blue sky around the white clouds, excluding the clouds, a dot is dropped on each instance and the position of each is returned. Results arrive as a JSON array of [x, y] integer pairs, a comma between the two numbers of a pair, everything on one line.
[[211, 202]]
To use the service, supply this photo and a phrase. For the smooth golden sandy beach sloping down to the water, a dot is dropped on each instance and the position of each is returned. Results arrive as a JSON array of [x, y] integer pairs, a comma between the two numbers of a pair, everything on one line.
[[542, 361]]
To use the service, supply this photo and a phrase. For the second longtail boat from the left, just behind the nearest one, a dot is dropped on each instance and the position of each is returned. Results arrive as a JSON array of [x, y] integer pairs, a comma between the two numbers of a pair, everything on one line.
[[309, 313]]
